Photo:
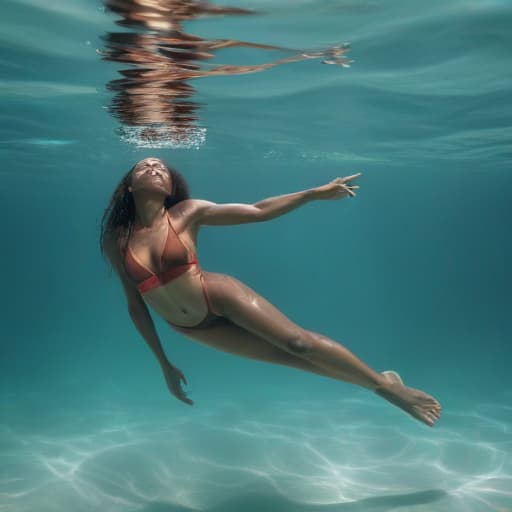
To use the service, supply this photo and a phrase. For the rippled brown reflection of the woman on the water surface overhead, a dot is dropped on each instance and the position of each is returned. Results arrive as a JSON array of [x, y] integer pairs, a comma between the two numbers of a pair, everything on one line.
[[153, 97]]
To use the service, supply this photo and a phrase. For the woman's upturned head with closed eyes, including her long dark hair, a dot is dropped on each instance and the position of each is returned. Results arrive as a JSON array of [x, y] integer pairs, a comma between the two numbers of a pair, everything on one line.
[[151, 177]]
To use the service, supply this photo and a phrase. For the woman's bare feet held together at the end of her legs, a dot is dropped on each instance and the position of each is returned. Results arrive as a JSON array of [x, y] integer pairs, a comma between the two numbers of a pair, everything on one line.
[[413, 401]]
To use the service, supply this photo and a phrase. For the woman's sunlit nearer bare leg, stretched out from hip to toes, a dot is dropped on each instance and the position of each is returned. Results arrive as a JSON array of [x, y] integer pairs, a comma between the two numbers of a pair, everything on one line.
[[242, 306]]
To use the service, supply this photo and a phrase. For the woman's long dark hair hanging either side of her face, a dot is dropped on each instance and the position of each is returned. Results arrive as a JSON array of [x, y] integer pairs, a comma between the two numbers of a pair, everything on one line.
[[119, 216]]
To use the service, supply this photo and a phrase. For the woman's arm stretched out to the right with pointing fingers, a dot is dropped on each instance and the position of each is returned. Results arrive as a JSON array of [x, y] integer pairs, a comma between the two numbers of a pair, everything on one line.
[[213, 214]]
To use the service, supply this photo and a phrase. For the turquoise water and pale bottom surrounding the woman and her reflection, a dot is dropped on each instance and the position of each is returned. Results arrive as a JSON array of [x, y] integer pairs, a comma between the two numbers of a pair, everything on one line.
[[410, 275]]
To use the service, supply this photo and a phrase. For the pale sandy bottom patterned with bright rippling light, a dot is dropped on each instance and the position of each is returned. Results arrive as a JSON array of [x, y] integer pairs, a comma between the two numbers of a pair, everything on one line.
[[309, 454]]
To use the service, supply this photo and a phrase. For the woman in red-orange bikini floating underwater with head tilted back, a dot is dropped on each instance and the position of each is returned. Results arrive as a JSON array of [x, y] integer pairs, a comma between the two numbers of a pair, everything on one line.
[[149, 233]]
